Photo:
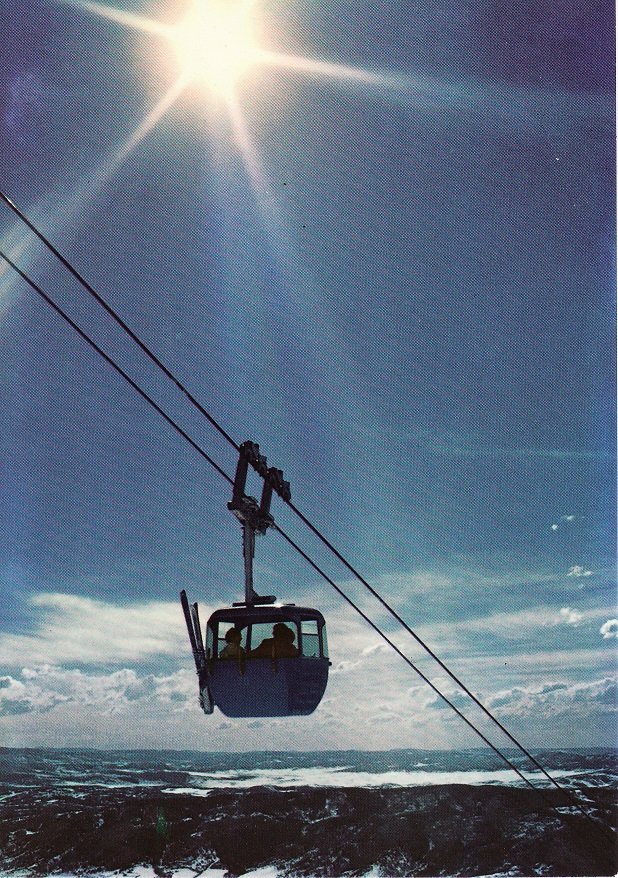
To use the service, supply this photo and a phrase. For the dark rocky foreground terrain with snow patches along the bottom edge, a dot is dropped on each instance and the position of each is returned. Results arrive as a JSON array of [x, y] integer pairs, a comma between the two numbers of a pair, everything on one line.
[[447, 830]]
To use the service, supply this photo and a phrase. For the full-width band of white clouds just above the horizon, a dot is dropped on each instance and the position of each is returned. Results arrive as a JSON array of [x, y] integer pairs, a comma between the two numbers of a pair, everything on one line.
[[373, 699]]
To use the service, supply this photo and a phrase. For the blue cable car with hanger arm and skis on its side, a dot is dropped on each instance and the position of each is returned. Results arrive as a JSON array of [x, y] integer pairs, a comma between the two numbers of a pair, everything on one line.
[[260, 658]]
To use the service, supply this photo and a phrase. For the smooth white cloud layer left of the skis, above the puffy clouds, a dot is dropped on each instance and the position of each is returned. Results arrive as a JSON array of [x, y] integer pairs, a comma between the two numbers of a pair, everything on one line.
[[75, 629]]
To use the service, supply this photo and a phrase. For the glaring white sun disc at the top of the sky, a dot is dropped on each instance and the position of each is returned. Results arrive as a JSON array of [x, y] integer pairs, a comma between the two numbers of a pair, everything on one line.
[[216, 43]]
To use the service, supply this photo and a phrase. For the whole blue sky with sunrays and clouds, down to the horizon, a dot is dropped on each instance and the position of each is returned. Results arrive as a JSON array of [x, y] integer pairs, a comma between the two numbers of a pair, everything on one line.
[[392, 264]]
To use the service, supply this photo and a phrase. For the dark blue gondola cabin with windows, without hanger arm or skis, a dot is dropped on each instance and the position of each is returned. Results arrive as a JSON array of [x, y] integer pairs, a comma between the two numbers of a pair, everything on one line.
[[259, 670]]
